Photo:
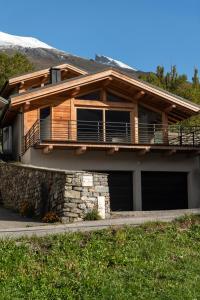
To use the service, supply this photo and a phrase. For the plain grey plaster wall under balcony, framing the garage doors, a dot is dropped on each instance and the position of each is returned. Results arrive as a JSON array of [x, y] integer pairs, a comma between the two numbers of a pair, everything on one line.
[[124, 161]]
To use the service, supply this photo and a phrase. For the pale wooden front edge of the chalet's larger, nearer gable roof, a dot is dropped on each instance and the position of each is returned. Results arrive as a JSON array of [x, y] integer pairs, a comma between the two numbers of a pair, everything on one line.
[[99, 76]]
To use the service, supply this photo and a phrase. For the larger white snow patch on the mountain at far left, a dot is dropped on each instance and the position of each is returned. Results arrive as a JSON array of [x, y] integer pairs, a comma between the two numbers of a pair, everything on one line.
[[10, 40]]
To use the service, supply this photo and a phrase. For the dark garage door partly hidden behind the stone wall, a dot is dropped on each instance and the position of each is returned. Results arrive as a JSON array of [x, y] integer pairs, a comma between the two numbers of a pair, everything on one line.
[[121, 190]]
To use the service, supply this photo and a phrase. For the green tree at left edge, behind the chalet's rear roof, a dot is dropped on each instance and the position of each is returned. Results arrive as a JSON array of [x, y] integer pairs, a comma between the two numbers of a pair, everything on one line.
[[13, 65]]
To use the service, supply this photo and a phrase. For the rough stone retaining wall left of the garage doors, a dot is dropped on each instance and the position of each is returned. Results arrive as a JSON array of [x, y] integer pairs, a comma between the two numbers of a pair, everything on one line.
[[70, 194]]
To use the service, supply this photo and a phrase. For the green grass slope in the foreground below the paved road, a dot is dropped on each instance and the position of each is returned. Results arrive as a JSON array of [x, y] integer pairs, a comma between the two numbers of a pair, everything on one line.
[[153, 261]]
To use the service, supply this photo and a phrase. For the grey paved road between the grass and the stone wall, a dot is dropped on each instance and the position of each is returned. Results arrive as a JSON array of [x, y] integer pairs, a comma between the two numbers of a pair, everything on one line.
[[135, 219]]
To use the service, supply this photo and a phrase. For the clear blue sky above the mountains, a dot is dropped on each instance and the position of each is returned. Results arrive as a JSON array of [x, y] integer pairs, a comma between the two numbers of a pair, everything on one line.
[[141, 33]]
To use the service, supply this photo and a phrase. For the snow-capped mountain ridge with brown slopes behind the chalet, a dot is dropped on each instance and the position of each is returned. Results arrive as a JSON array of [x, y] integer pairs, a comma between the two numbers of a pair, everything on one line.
[[43, 55]]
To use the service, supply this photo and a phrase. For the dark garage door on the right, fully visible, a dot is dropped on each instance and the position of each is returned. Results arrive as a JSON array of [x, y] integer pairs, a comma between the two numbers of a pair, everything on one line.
[[164, 190]]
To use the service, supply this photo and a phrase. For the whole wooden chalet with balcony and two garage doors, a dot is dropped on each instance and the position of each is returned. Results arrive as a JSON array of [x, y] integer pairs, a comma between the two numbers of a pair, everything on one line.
[[110, 117]]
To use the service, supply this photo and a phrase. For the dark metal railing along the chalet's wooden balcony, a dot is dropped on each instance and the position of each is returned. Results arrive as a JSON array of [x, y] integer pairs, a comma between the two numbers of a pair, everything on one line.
[[46, 131]]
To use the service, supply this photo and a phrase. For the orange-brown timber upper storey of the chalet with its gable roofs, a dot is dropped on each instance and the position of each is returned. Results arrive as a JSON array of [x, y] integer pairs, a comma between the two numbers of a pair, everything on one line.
[[104, 92]]
